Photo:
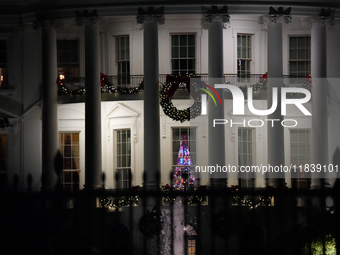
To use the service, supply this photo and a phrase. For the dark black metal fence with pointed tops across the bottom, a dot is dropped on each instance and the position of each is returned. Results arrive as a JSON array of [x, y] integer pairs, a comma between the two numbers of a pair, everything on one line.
[[165, 221]]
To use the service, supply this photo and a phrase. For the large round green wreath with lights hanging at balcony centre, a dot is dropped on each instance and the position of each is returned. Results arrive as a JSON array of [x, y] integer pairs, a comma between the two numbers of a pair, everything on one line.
[[178, 115]]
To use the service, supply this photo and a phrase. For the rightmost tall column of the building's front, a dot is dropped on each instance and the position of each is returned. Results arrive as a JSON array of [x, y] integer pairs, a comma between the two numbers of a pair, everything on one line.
[[319, 154]]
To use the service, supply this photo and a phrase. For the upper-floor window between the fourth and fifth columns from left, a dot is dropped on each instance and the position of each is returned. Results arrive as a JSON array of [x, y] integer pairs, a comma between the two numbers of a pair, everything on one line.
[[244, 55]]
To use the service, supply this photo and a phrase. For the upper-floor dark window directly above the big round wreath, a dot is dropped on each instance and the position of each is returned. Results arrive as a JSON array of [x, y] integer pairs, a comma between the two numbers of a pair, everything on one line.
[[183, 59]]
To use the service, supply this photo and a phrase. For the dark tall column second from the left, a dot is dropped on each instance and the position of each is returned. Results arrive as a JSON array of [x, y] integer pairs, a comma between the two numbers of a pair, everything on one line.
[[93, 146]]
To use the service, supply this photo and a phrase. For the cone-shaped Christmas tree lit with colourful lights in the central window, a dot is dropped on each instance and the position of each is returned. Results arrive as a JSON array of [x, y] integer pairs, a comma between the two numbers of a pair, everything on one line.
[[184, 173]]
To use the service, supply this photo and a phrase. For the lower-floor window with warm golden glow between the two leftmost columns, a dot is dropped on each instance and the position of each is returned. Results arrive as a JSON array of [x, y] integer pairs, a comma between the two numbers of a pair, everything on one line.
[[69, 148]]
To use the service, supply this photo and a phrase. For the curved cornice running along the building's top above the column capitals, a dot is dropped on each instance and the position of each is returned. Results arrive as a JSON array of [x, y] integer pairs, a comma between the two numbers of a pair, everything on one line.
[[16, 11]]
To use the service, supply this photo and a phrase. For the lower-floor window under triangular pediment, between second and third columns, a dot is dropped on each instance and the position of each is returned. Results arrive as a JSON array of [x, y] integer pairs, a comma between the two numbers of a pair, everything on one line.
[[123, 170]]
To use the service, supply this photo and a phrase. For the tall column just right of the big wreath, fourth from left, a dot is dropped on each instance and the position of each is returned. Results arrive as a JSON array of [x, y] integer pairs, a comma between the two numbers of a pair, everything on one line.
[[216, 135]]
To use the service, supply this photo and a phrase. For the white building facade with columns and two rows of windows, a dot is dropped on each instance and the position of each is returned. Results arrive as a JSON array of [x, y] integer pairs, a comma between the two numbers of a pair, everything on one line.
[[59, 47]]
